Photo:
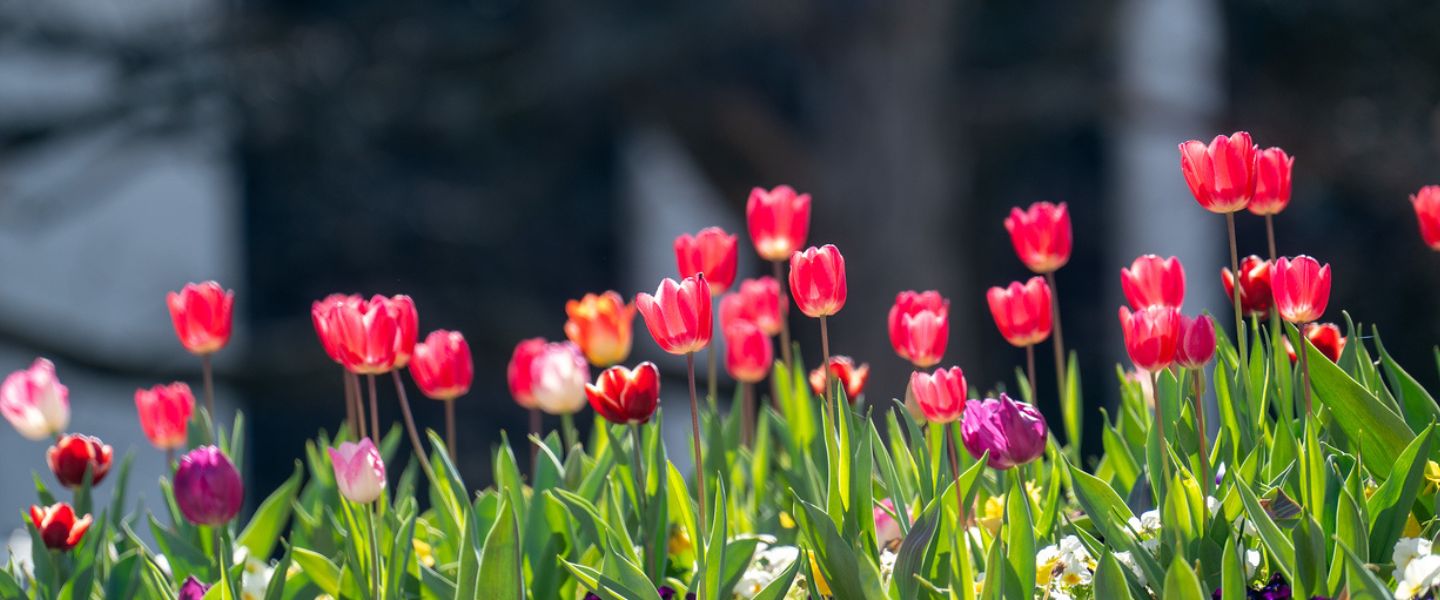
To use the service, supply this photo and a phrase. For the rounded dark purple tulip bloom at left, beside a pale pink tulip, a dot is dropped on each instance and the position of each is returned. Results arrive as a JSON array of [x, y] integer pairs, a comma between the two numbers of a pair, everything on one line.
[[208, 490]]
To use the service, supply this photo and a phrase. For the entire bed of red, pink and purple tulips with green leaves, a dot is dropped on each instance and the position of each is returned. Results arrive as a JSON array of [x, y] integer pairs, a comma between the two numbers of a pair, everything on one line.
[[801, 494]]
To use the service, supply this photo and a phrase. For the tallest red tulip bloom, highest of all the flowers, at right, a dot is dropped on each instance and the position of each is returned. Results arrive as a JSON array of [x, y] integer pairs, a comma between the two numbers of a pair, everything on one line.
[[1223, 175]]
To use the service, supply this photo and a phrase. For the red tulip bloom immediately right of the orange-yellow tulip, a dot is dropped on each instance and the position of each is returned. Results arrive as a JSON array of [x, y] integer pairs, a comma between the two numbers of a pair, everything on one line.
[[679, 314]]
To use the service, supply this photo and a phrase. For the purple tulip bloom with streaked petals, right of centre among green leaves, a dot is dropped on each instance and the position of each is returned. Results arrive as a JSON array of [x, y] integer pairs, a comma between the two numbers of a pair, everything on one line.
[[1013, 432]]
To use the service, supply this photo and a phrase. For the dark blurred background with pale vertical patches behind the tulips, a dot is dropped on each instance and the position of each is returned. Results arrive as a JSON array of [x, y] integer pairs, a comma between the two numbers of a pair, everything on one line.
[[496, 159]]
